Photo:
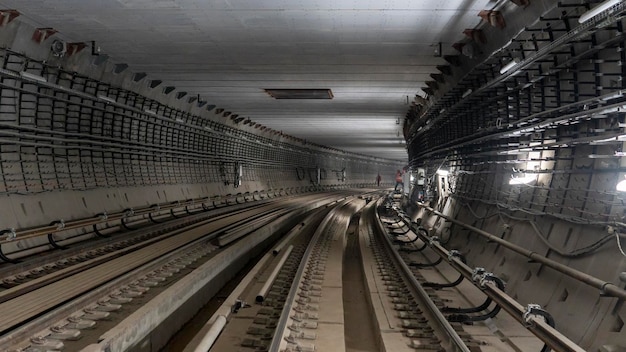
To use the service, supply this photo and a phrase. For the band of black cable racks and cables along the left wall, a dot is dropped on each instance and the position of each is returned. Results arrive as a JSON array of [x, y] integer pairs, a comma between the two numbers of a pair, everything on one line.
[[74, 132]]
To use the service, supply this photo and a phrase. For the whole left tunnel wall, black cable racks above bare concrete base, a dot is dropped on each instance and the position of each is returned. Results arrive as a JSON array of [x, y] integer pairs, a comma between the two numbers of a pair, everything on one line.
[[69, 153]]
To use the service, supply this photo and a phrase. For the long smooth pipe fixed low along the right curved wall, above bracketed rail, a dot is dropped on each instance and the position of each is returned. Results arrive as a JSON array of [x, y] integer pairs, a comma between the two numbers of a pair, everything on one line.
[[607, 288]]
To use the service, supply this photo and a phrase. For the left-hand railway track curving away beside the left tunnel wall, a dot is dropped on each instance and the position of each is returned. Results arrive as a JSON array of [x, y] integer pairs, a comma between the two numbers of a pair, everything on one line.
[[71, 303]]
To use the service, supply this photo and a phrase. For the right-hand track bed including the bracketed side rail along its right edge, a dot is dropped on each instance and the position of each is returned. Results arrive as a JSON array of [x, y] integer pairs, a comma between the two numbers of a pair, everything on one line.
[[314, 303]]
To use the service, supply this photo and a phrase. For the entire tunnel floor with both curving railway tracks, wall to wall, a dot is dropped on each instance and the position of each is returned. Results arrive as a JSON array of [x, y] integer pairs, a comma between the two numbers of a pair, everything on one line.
[[335, 273]]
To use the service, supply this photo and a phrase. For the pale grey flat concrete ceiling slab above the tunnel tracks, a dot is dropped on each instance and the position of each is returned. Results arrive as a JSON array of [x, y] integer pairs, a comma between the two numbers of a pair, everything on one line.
[[374, 55]]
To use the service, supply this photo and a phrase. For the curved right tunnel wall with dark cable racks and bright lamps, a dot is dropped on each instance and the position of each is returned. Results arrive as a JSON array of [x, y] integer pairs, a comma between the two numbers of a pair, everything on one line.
[[571, 212]]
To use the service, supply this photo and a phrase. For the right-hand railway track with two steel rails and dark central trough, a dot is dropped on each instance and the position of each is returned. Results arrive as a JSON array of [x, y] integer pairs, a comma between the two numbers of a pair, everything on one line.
[[305, 311]]
